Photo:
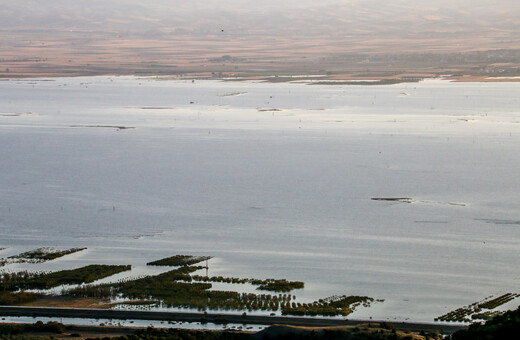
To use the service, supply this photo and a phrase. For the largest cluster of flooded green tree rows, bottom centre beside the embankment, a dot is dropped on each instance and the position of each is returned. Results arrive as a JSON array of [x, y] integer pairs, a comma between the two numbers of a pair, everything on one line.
[[177, 288]]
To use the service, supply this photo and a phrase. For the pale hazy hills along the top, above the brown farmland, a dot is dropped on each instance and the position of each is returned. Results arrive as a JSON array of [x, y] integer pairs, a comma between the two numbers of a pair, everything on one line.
[[397, 19]]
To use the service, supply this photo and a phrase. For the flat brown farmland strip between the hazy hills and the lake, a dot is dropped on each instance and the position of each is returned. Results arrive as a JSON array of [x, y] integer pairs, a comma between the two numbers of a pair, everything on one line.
[[64, 53]]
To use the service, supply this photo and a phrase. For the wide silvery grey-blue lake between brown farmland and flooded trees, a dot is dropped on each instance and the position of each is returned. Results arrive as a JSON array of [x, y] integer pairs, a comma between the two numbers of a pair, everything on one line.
[[273, 180]]
